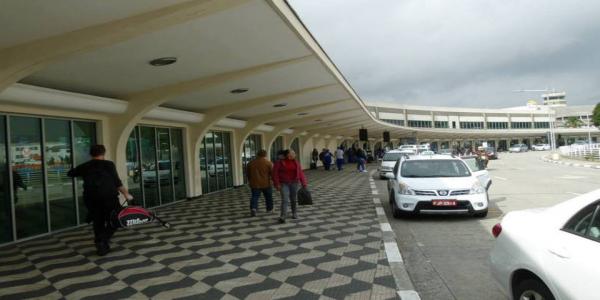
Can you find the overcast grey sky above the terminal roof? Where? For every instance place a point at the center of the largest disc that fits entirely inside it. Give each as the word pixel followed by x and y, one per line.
pixel 471 53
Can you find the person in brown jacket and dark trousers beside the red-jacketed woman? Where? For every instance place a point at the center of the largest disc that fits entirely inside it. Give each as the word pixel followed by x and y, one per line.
pixel 259 172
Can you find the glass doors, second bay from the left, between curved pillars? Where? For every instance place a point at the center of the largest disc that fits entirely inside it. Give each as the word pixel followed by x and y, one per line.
pixel 155 173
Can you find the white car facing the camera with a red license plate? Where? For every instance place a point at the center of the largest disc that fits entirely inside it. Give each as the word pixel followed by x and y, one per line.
pixel 436 184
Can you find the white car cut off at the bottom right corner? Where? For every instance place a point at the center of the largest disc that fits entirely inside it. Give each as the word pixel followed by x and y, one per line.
pixel 550 253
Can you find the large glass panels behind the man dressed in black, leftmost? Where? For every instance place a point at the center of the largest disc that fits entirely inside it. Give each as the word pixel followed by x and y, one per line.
pixel 36 195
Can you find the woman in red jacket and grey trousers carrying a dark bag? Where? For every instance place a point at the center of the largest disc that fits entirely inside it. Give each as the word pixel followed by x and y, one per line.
pixel 287 178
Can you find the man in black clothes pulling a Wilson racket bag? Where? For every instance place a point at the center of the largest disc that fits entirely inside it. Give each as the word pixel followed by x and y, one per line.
pixel 101 187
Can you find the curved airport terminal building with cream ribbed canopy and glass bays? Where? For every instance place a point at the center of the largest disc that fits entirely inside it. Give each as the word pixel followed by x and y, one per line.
pixel 183 99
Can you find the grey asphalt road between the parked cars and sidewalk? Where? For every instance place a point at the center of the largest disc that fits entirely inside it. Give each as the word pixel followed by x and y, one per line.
pixel 447 256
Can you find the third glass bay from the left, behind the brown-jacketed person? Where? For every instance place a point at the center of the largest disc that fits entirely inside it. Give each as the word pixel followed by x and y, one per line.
pixel 215 161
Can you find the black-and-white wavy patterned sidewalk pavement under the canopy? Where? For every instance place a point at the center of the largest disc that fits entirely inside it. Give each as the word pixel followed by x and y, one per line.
pixel 215 250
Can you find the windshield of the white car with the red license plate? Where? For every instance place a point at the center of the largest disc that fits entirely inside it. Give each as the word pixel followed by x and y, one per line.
pixel 434 168
